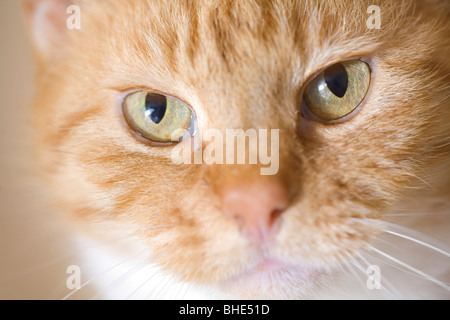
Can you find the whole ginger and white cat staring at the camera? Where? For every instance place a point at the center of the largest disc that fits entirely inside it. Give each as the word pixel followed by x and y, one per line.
pixel 363 119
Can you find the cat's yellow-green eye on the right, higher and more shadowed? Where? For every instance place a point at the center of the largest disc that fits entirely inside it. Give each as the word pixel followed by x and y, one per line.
pixel 338 90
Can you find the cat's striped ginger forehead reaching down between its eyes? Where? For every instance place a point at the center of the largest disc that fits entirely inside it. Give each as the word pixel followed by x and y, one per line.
pixel 229 53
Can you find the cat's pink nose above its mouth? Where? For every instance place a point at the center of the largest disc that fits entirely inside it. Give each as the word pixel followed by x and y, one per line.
pixel 256 206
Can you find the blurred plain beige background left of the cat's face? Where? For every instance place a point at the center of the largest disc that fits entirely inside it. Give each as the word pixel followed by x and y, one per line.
pixel 33 246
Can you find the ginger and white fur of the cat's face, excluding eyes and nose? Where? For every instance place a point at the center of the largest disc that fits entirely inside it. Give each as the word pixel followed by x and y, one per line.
pixel 241 64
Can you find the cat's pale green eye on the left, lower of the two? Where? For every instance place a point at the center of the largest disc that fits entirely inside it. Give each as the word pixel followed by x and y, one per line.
pixel 157 117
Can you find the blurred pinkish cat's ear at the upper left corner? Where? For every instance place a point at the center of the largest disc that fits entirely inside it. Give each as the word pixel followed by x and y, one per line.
pixel 47 21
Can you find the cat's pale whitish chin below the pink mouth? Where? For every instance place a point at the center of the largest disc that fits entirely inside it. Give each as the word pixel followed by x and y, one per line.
pixel 273 279
